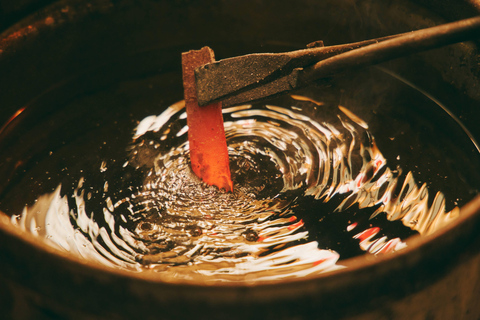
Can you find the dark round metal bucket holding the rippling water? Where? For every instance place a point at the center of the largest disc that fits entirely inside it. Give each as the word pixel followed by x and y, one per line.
pixel 435 277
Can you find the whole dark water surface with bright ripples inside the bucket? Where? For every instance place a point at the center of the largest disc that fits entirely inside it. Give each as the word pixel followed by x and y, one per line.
pixel 318 176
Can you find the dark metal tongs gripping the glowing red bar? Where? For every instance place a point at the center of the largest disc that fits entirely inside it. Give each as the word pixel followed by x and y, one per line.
pixel 255 76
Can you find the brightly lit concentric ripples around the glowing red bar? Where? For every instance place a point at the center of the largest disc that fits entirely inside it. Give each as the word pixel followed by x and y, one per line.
pixel 293 166
